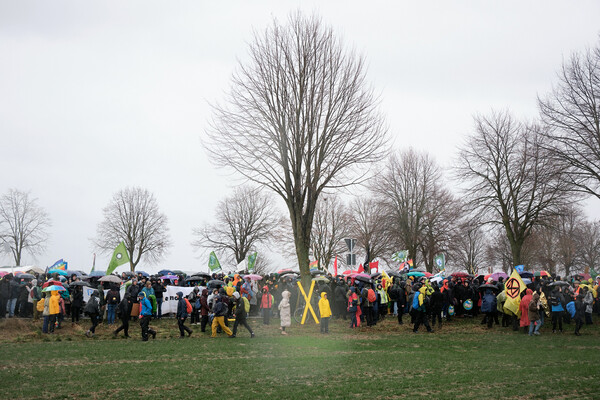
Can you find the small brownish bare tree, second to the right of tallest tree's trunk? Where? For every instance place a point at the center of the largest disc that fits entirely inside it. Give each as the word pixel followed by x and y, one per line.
pixel 370 228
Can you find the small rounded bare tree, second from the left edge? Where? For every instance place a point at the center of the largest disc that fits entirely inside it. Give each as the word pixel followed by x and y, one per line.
pixel 132 216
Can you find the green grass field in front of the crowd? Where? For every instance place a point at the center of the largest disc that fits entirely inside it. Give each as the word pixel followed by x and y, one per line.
pixel 462 360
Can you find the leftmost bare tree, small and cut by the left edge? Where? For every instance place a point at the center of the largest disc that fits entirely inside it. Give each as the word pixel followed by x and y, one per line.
pixel 23 225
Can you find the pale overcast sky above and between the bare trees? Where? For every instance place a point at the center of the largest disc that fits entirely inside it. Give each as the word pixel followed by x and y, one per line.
pixel 97 96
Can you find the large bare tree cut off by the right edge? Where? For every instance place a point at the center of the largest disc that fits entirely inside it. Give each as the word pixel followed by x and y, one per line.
pixel 572 111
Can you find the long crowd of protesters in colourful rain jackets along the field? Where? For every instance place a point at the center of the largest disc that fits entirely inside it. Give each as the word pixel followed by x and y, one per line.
pixel 218 301
